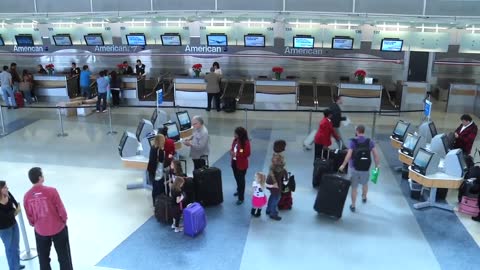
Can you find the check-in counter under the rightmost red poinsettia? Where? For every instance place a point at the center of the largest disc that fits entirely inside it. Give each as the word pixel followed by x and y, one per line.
pixel 359 96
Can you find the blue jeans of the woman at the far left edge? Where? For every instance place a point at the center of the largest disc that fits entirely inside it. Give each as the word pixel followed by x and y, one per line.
pixel 11 240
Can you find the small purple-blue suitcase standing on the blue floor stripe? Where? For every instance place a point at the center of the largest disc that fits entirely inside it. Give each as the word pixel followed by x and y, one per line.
pixel 194 219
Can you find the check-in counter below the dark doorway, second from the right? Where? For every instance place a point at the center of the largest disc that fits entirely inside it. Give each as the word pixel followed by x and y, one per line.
pixel 413 95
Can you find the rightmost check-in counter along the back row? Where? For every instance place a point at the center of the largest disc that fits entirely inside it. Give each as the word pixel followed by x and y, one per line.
pixel 461 98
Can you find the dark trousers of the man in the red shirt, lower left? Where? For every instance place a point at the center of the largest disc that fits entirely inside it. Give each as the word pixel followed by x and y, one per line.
pixel 62 247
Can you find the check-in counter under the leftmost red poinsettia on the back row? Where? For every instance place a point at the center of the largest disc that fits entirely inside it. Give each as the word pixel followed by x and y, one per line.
pixel 190 92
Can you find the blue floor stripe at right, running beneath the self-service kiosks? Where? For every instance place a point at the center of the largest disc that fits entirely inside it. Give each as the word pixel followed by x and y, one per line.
pixel 450 241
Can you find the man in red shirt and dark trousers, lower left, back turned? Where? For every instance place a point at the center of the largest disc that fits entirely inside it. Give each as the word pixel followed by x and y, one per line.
pixel 46 213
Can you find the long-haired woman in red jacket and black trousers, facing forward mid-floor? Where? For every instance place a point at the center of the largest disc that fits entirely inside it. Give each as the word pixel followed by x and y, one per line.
pixel 240 152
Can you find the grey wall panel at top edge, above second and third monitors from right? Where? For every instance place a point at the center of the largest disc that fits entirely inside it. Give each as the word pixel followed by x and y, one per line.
pixel 319 5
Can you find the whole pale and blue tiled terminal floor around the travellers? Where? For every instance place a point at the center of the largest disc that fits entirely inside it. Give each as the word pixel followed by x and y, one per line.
pixel 111 227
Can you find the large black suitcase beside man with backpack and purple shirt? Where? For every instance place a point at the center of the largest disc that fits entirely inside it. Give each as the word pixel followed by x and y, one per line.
pixel 331 196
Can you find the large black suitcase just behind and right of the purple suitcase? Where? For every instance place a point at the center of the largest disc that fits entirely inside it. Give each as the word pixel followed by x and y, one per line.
pixel 208 186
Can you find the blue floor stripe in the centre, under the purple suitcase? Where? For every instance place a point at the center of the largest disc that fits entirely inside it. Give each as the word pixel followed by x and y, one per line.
pixel 220 246
